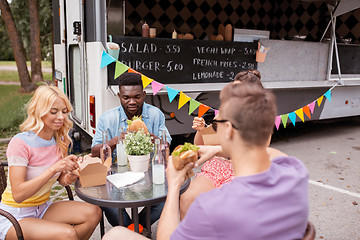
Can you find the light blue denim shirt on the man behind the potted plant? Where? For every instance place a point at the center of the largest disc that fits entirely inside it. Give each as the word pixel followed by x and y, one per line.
pixel 113 119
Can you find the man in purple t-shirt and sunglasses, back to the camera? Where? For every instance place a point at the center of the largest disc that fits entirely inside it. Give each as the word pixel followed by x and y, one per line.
pixel 267 199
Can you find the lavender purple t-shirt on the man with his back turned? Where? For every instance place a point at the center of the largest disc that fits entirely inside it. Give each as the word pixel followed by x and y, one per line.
pixel 270 205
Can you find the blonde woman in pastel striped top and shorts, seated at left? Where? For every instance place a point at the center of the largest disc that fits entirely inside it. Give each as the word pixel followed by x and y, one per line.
pixel 37 157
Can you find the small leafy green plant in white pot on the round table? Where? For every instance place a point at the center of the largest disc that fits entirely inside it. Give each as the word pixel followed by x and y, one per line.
pixel 138 147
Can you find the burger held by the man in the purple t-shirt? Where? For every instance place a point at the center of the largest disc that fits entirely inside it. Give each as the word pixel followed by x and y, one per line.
pixel 184 154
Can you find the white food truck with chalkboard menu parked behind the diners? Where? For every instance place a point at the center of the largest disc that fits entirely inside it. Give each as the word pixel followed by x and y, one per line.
pixel 308 55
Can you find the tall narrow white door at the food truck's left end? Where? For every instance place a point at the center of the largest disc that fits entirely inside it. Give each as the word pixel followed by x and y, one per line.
pixel 75 48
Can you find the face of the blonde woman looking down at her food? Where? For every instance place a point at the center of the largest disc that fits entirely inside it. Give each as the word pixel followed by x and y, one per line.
pixel 55 118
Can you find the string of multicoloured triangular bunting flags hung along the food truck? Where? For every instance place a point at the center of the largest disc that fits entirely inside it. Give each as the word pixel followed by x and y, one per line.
pixel 156 86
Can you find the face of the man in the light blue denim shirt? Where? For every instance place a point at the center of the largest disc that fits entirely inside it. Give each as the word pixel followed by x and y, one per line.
pixel 132 99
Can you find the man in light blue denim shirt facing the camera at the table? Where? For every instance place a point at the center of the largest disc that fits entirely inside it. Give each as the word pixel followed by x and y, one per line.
pixel 132 96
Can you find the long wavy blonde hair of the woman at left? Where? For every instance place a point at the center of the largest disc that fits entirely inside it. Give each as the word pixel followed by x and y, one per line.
pixel 38 106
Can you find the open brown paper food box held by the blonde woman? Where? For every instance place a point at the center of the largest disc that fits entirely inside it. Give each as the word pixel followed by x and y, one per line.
pixel 93 172
